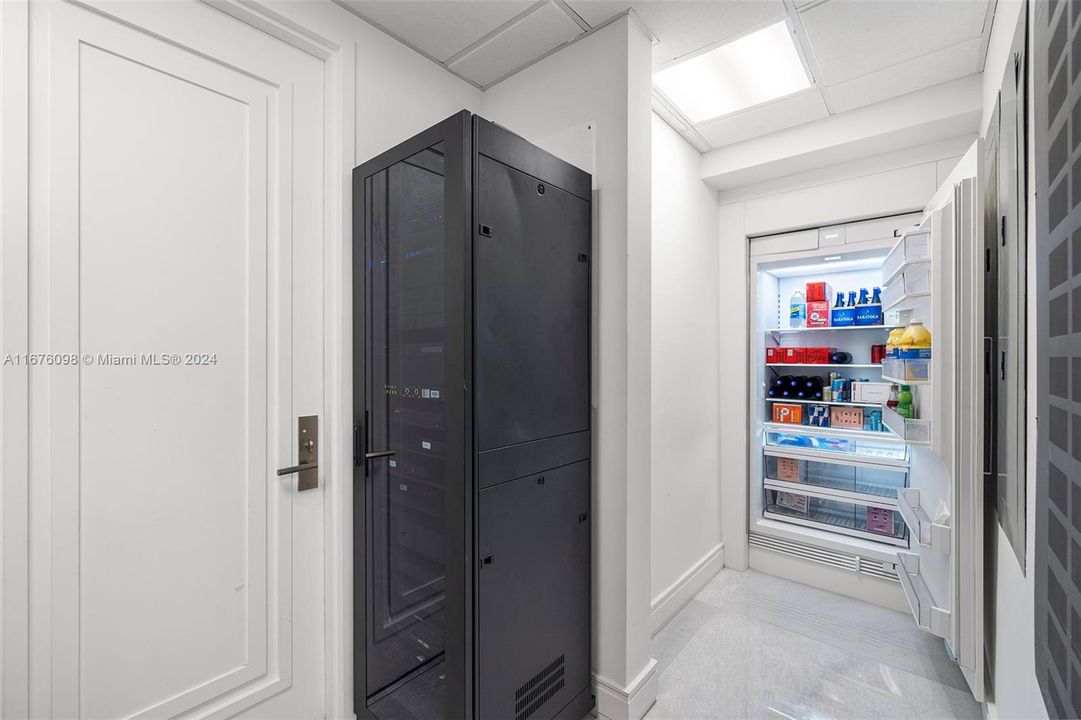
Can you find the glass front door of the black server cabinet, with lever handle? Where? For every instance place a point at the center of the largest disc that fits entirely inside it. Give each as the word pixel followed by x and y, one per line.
pixel 412 481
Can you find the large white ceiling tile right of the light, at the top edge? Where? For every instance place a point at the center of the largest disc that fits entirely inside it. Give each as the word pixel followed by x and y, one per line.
pixel 851 38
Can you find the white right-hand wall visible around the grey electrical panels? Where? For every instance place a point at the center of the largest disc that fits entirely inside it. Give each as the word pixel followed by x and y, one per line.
pixel 1017 695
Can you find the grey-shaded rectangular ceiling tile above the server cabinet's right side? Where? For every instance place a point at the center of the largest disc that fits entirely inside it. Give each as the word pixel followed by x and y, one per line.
pixel 542 31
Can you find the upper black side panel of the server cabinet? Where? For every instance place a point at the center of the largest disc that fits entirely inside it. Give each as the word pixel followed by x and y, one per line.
pixel 532 309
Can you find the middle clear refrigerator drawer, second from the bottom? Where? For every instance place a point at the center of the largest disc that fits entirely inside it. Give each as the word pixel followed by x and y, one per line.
pixel 864 481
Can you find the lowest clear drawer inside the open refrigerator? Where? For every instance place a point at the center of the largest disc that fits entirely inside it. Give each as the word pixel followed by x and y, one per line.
pixel 857 519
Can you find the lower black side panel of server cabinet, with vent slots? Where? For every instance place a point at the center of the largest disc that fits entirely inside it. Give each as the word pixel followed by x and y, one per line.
pixel 533 596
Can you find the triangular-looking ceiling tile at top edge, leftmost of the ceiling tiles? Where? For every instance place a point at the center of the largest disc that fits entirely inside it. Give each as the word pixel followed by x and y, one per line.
pixel 439 28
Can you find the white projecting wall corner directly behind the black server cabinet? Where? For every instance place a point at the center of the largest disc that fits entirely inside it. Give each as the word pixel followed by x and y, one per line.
pixel 599 88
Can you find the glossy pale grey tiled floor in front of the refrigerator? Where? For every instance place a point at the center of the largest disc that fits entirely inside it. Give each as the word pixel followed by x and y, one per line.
pixel 754 646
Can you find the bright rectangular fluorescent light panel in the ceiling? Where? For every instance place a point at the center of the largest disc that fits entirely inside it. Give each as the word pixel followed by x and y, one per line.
pixel 756 69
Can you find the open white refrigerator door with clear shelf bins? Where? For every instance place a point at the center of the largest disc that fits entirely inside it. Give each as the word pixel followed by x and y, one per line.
pixel 942 574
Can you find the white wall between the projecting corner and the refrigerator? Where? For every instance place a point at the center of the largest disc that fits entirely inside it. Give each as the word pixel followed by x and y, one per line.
pixel 686 494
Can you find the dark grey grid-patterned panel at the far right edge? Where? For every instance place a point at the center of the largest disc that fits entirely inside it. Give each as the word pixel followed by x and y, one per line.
pixel 1058 549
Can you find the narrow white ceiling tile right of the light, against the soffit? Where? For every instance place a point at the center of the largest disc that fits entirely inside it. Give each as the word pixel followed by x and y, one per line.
pixel 925 72
